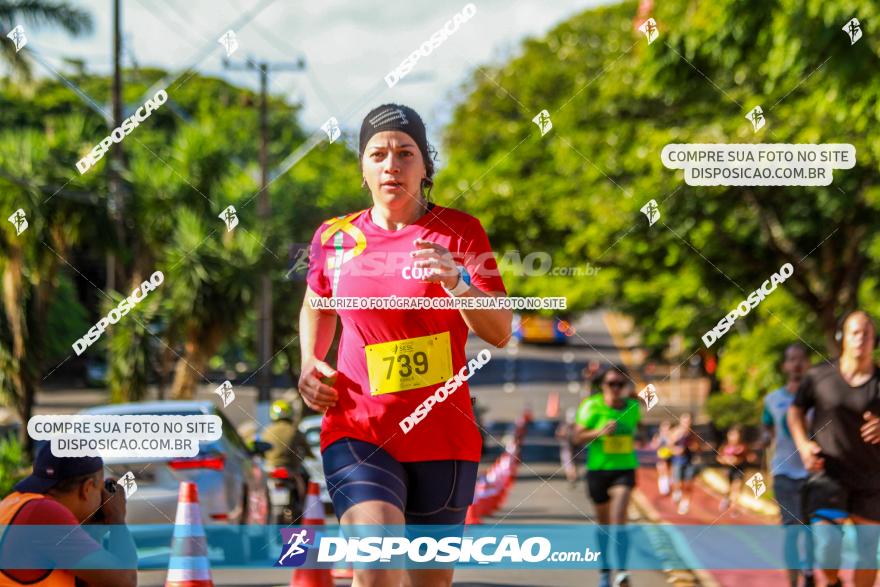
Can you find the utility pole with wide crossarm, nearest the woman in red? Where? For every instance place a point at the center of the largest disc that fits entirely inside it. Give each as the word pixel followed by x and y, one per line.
pixel 264 211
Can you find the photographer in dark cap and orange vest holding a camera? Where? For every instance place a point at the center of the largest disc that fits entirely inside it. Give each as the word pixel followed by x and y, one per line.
pixel 66 492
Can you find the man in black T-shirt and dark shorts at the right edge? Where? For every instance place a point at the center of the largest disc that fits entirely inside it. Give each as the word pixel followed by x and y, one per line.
pixel 843 448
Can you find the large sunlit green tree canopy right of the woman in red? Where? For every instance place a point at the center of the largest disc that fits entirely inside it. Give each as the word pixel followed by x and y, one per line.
pixel 615 101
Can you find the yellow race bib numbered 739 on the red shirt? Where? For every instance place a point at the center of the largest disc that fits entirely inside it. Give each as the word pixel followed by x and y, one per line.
pixel 400 365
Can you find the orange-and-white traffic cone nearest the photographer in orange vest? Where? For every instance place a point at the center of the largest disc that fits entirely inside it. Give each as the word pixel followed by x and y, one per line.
pixel 189 566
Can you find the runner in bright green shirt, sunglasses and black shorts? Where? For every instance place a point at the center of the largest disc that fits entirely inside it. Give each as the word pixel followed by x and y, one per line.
pixel 607 423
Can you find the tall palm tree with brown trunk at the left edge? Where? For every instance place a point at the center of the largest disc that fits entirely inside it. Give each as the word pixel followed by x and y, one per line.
pixel 30 261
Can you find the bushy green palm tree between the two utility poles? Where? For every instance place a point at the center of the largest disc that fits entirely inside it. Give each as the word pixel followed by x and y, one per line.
pixel 209 273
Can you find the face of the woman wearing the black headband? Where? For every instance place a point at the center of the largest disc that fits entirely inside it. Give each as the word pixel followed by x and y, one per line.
pixel 393 156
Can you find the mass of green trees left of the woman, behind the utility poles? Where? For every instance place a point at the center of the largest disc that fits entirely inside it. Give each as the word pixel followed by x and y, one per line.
pixel 191 159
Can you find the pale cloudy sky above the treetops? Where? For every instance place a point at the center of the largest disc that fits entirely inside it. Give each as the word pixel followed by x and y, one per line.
pixel 349 47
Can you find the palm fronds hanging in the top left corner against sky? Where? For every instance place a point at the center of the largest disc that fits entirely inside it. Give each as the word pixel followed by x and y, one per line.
pixel 37 13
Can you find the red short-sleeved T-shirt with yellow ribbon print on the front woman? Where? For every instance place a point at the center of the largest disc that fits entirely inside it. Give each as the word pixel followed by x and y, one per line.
pixel 376 263
